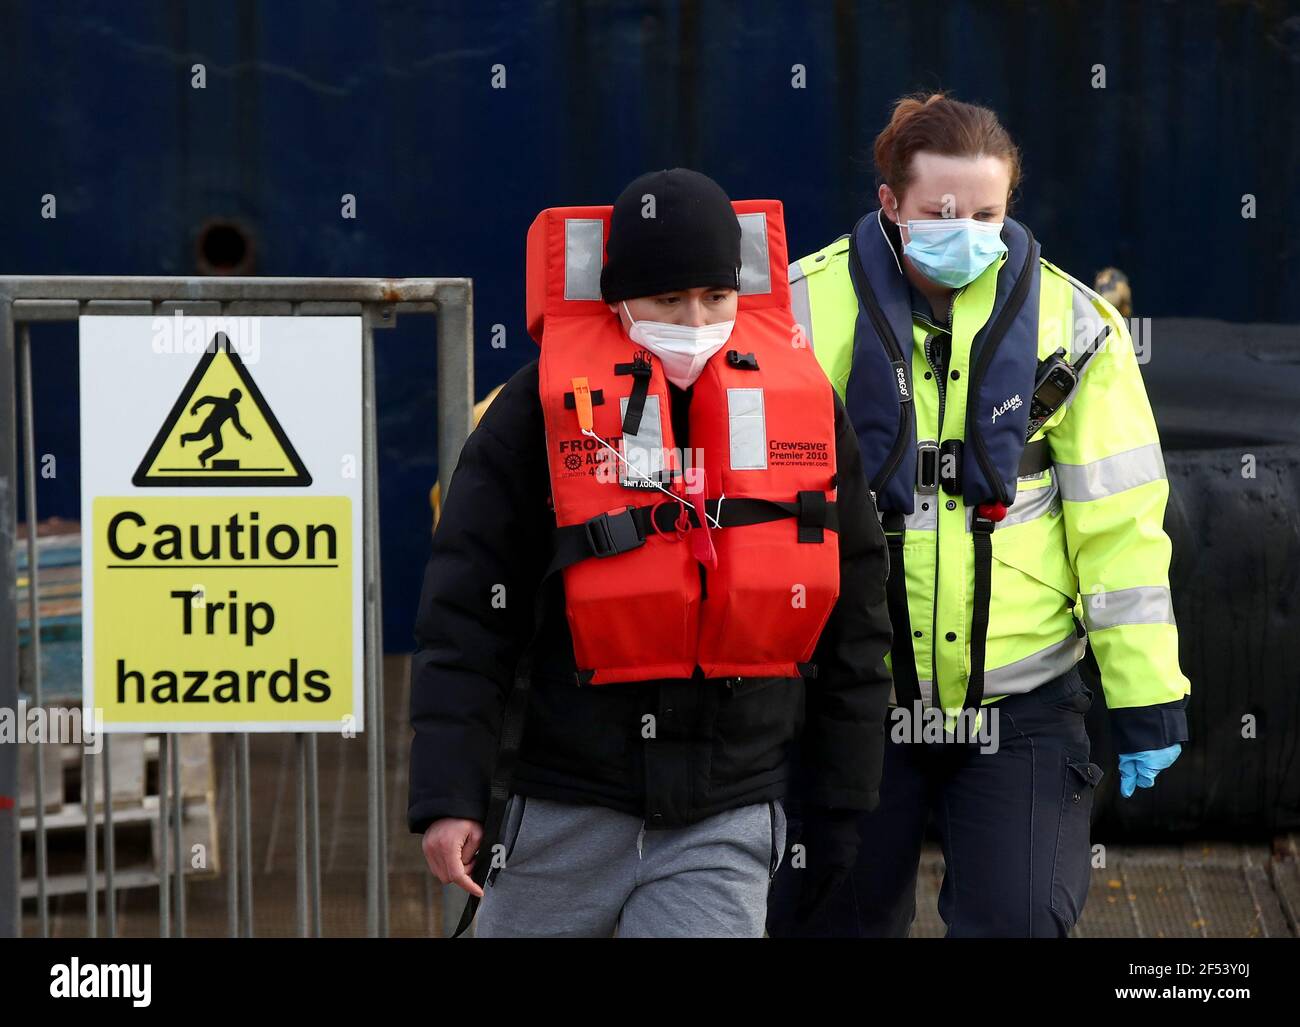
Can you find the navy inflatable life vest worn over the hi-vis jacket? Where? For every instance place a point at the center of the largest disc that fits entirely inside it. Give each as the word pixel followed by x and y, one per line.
pixel 1004 359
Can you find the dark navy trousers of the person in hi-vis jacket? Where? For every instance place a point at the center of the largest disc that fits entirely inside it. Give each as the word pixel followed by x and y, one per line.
pixel 1013 825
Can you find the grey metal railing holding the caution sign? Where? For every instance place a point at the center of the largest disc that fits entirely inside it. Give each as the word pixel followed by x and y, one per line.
pixel 25 301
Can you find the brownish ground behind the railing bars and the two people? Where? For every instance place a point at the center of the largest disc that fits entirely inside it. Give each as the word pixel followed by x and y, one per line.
pixel 1210 890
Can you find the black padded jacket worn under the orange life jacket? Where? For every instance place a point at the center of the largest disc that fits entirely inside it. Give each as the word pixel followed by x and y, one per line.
pixel 720 744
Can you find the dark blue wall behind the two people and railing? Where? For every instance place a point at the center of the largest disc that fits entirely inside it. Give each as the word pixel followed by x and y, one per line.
pixel 393 103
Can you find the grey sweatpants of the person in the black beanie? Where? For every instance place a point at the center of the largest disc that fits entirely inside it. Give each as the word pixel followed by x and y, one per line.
pixel 588 872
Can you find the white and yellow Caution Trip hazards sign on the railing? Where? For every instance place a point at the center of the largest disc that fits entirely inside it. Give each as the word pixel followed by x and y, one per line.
pixel 222 521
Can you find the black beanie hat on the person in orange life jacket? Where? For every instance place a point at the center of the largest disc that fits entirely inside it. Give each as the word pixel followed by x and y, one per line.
pixel 671 231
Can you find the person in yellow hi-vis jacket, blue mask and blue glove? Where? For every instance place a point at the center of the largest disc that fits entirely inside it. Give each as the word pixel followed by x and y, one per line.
pixel 1017 469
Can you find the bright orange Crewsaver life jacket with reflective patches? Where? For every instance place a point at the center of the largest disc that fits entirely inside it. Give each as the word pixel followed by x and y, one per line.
pixel 653 590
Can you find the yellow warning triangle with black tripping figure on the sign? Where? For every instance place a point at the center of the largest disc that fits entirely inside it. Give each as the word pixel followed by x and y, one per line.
pixel 222 432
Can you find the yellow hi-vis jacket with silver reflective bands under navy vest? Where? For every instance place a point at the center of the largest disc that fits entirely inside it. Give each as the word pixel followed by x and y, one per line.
pixel 1085 538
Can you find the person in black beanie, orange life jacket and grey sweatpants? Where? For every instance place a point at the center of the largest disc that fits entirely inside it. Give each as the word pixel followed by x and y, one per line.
pixel 657 570
